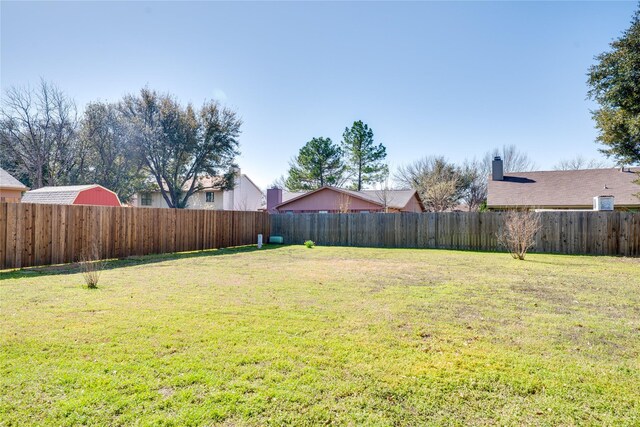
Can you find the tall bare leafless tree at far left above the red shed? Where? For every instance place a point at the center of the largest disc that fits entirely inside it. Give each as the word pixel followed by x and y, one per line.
pixel 38 134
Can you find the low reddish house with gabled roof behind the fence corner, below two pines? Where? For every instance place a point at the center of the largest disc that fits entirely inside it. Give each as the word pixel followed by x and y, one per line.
pixel 336 200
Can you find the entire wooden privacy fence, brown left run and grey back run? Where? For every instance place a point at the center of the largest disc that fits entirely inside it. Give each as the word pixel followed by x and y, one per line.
pixel 35 234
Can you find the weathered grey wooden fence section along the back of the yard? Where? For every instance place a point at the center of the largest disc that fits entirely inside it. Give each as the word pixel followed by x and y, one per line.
pixel 602 233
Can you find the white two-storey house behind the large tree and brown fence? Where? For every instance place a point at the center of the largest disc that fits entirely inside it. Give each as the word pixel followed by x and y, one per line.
pixel 245 196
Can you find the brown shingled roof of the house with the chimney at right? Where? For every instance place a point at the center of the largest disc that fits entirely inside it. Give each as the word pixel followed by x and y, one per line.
pixel 574 188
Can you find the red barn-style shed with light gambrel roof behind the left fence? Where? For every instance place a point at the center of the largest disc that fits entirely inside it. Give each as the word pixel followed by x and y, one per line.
pixel 92 194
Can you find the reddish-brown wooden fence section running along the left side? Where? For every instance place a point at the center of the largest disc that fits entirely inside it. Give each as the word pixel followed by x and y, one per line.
pixel 37 234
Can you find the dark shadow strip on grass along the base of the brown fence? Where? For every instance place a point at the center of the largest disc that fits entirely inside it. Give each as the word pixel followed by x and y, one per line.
pixel 111 264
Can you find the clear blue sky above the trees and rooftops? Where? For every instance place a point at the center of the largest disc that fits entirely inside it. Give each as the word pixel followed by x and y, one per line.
pixel 452 79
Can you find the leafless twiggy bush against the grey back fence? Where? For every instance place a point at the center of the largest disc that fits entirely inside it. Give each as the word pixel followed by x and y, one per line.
pixel 519 232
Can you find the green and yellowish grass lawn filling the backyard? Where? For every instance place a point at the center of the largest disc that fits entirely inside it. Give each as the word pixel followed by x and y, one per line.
pixel 349 336
